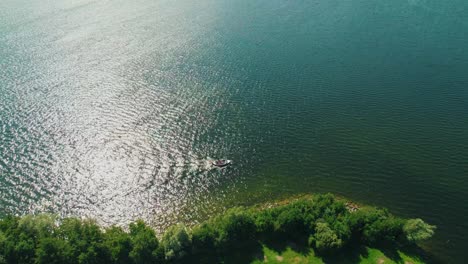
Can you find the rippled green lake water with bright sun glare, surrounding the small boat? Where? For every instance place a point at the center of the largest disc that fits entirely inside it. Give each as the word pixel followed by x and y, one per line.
pixel 113 109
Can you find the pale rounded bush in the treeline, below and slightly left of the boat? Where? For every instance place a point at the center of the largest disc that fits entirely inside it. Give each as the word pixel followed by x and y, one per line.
pixel 176 242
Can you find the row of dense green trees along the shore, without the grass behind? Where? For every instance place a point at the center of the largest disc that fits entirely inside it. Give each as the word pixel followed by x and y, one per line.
pixel 323 221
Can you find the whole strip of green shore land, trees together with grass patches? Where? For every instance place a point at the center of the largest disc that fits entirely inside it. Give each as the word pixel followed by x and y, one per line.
pixel 310 228
